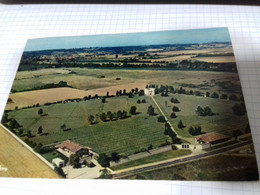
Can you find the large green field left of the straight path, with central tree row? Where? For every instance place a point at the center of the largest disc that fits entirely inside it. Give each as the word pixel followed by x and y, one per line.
pixel 123 136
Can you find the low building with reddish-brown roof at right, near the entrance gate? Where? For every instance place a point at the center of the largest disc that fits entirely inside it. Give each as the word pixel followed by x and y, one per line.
pixel 211 138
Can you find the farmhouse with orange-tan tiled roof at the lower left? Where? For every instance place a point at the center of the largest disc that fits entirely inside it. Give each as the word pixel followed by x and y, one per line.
pixel 69 147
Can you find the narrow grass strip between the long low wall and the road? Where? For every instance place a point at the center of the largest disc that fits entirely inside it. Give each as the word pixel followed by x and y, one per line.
pixel 153 158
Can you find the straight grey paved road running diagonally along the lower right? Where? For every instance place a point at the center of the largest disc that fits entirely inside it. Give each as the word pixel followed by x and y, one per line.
pixel 166 164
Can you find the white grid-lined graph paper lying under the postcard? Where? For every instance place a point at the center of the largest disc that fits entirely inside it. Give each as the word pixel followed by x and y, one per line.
pixel 21 22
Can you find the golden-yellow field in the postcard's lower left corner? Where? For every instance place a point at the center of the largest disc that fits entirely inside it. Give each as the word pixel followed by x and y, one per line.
pixel 19 161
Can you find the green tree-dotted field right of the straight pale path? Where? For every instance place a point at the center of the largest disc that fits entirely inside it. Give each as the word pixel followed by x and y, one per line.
pixel 225 121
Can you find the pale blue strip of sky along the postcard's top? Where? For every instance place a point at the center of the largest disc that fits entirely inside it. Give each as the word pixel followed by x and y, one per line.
pixel 131 39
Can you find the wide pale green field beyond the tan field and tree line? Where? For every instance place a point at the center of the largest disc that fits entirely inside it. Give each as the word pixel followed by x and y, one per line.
pixel 87 78
